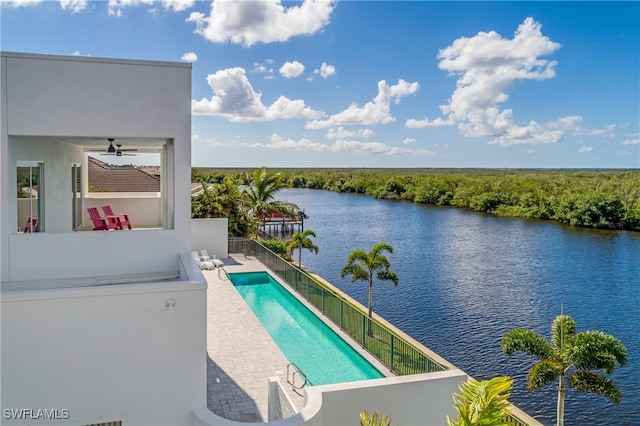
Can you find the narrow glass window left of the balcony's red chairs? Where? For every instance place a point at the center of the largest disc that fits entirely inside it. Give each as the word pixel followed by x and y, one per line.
pixel 30 193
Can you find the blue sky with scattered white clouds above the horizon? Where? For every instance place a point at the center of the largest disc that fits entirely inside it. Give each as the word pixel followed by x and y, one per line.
pixel 376 84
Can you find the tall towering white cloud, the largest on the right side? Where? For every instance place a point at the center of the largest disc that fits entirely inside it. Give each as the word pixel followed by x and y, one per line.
pixel 487 65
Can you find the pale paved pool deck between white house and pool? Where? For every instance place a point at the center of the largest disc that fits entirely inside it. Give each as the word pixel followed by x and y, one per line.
pixel 241 354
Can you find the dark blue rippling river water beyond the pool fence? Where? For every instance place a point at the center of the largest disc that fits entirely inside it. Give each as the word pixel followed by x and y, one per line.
pixel 468 278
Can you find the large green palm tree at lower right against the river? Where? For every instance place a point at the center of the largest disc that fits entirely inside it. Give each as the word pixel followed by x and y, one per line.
pixel 581 352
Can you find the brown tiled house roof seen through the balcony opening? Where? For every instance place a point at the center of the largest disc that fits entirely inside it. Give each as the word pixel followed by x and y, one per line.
pixel 105 177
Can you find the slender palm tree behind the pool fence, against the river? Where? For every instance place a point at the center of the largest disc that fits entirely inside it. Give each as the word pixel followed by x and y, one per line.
pixel 363 266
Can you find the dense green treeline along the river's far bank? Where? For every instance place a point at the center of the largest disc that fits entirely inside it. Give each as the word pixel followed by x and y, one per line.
pixel 605 199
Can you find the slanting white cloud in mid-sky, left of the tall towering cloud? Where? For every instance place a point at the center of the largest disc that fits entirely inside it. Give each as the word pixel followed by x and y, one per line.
pixel 377 111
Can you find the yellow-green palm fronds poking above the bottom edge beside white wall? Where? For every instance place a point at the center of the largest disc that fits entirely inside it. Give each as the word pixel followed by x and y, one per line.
pixel 483 403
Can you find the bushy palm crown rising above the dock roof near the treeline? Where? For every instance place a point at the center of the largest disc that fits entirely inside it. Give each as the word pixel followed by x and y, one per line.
pixel 260 193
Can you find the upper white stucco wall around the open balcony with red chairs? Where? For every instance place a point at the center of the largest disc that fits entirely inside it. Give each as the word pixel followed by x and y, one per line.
pixel 46 99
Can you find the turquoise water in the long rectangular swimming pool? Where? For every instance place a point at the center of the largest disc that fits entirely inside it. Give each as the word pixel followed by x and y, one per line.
pixel 301 336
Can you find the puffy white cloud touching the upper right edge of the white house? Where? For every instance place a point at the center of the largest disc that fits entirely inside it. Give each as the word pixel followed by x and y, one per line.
pixel 234 98
